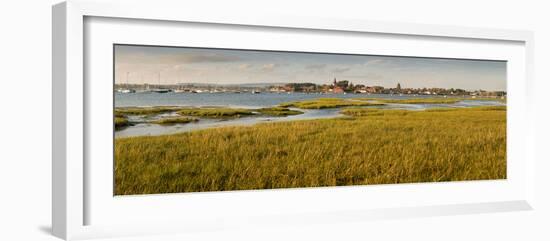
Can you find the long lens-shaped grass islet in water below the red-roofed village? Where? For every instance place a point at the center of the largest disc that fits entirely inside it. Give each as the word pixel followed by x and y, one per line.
pixel 325 103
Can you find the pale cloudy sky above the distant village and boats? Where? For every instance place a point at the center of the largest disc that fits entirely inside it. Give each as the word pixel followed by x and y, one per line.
pixel 142 64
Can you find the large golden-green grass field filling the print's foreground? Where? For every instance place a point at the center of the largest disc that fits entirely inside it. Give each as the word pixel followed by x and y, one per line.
pixel 389 147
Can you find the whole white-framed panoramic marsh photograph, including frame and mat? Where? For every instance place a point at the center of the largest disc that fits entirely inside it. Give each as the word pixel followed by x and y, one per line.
pixel 177 121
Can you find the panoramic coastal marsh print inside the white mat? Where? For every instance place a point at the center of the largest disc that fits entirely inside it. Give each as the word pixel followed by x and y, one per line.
pixel 203 119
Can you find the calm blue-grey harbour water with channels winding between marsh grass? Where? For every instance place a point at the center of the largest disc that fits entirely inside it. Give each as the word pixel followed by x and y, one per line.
pixel 248 100
